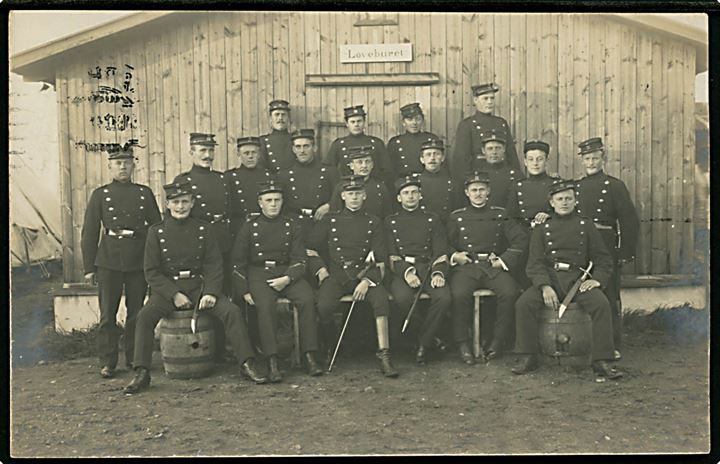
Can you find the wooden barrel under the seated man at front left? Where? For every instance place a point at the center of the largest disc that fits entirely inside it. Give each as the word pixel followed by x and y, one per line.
pixel 187 355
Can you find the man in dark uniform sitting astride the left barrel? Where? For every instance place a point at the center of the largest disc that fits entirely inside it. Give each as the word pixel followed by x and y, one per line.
pixel 183 268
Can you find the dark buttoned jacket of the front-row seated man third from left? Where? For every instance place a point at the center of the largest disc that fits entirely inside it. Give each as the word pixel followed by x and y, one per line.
pixel 345 238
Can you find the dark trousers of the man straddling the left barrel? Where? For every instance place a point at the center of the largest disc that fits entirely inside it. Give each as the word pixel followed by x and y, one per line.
pixel 158 307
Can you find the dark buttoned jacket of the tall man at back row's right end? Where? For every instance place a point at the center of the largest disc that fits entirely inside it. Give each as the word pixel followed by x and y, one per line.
pixel 468 145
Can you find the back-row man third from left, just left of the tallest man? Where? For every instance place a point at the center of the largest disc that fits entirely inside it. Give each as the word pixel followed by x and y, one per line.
pixel 404 150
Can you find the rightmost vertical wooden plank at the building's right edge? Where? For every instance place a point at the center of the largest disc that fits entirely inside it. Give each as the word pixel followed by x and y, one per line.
pixel 688 191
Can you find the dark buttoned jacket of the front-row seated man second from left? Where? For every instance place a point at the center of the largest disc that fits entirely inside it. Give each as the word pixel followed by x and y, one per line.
pixel 274 245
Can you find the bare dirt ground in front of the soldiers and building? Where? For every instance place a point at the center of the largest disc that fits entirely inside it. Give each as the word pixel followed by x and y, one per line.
pixel 62 408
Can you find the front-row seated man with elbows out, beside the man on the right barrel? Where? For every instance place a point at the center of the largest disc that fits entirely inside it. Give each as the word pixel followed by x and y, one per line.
pixel 485 245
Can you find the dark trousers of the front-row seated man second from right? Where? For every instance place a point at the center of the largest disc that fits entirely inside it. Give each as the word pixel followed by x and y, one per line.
pixel 468 278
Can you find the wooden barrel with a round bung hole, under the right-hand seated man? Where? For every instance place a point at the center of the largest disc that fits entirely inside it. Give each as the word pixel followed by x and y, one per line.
pixel 568 340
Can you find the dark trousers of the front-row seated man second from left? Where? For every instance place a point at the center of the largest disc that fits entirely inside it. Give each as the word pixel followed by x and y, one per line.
pixel 300 294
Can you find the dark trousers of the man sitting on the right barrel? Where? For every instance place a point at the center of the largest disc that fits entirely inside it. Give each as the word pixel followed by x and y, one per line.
pixel 593 302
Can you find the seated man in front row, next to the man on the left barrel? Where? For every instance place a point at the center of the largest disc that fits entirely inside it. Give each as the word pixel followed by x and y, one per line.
pixel 269 262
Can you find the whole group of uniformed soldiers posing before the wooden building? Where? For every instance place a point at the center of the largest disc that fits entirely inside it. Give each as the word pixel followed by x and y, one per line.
pixel 370 220
